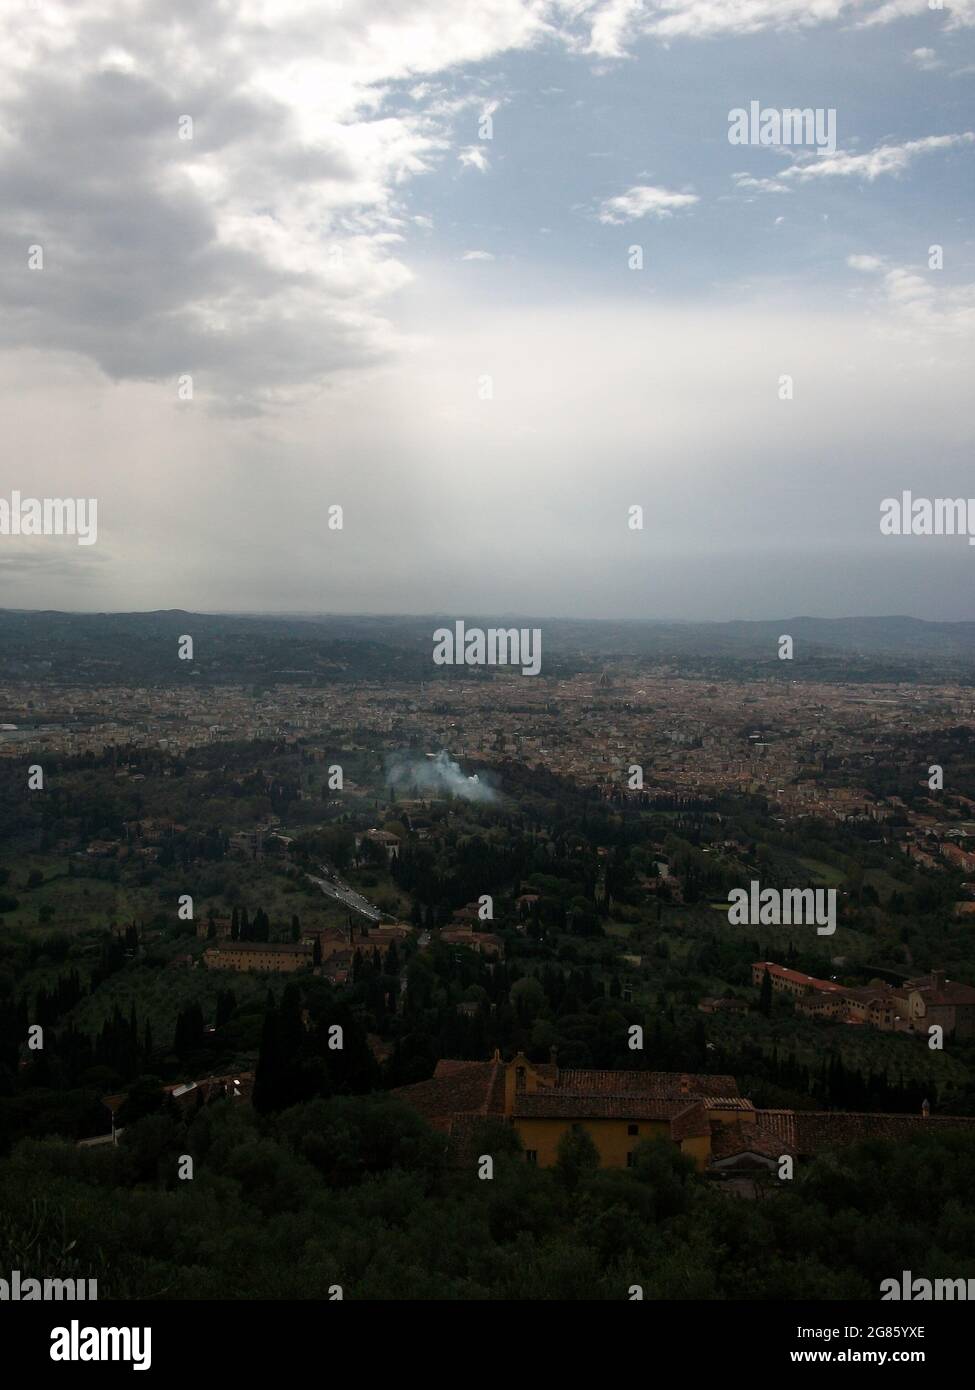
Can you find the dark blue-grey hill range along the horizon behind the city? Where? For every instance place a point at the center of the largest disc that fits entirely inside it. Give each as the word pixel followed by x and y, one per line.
pixel 141 648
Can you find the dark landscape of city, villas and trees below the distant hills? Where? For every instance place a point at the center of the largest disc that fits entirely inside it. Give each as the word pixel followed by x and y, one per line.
pixel 475 921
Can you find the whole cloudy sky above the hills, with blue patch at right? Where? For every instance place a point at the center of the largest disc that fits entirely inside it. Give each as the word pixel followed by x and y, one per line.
pixel 487 276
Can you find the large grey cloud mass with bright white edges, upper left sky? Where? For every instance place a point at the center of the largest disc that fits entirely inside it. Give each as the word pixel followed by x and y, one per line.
pixel 259 254
